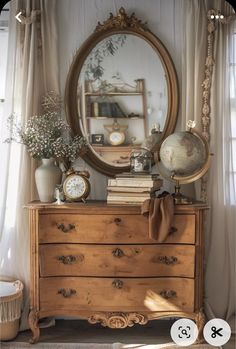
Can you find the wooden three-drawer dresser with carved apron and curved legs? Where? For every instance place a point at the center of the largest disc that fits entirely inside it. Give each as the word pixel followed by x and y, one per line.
pixel 96 261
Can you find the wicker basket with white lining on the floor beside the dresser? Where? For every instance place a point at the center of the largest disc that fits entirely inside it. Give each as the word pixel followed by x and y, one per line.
pixel 11 296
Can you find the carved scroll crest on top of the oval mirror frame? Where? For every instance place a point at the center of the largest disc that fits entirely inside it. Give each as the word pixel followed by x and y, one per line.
pixel 122 20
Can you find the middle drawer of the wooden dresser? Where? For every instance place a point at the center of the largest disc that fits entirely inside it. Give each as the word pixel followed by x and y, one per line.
pixel 116 260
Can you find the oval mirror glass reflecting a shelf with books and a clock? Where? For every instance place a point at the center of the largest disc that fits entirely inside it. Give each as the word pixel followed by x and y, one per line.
pixel 121 99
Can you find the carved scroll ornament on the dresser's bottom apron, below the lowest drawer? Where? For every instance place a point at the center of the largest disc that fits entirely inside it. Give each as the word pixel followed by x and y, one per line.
pixel 118 320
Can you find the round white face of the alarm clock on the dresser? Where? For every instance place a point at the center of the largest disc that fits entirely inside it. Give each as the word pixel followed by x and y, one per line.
pixel 75 187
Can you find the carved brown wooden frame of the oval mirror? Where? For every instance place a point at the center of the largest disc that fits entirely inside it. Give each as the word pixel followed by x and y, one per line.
pixel 122 23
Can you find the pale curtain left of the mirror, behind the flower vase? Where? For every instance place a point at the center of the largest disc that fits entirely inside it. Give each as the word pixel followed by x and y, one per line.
pixel 31 72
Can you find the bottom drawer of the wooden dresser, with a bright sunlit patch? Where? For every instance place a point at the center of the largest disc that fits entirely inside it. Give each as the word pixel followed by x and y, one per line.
pixel 70 294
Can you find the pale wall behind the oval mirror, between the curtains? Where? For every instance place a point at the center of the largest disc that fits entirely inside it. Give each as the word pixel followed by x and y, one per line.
pixel 77 20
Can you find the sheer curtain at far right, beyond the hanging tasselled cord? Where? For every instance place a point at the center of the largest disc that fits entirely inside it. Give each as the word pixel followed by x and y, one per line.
pixel 220 256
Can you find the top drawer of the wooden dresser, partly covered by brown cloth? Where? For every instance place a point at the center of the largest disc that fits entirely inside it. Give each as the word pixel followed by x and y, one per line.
pixel 121 228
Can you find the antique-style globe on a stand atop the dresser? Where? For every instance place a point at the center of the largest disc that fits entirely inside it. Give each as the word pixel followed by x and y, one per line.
pixel 183 158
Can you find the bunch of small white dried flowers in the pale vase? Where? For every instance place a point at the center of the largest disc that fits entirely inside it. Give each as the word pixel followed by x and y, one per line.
pixel 47 136
